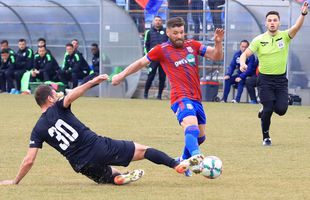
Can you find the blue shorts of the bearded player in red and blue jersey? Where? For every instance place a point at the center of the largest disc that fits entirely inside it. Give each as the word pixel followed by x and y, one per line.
pixel 187 107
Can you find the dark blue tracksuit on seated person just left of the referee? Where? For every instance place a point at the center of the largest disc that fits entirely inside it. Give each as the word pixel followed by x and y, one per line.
pixel 234 72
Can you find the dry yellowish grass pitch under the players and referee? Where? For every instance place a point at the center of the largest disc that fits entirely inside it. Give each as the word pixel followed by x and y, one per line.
pixel 251 172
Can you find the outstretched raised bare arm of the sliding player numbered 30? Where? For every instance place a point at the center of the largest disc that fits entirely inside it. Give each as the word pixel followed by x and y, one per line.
pixel 80 90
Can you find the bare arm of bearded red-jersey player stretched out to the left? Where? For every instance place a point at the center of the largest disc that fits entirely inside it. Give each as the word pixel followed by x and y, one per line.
pixel 132 68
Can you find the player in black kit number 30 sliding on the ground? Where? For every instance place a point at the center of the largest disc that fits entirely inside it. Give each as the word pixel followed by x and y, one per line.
pixel 88 153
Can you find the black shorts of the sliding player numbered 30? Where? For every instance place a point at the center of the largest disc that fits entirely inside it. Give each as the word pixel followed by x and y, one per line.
pixel 108 152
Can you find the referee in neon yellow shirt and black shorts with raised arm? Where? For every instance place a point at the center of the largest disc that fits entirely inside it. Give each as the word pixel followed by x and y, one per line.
pixel 272 49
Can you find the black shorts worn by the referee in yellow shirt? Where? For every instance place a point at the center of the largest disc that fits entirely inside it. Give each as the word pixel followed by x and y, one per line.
pixel 272 88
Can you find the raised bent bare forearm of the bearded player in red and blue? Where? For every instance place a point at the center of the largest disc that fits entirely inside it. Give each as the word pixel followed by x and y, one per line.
pixel 216 53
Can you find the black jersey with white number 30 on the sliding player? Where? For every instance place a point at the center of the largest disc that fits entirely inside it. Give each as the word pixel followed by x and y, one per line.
pixel 63 131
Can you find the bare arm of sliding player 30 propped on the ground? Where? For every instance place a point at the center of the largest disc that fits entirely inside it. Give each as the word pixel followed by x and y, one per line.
pixel 26 165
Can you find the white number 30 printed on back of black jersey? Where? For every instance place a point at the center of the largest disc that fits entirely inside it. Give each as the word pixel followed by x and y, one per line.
pixel 64 133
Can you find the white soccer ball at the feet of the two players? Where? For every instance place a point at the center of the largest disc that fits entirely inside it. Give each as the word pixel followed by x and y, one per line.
pixel 211 167
